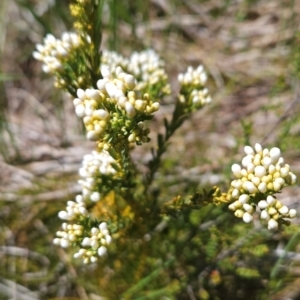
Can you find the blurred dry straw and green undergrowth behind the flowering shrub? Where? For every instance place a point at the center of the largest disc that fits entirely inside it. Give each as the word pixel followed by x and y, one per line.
pixel 250 49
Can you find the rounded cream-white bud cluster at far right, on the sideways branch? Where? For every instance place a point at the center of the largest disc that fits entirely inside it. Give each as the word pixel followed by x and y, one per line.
pixel 263 173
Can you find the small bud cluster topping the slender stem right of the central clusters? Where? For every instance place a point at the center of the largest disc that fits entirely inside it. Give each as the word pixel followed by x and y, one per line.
pixel 193 91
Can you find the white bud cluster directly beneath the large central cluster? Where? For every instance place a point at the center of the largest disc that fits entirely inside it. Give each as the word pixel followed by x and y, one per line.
pixel 94 167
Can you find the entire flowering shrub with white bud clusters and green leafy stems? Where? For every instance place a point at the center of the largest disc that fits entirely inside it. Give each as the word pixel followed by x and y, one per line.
pixel 115 97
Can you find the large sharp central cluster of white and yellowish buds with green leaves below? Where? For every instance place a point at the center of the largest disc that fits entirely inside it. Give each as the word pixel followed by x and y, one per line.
pixel 115 109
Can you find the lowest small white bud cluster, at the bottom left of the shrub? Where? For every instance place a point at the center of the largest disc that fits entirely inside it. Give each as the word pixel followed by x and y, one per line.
pixel 95 244
